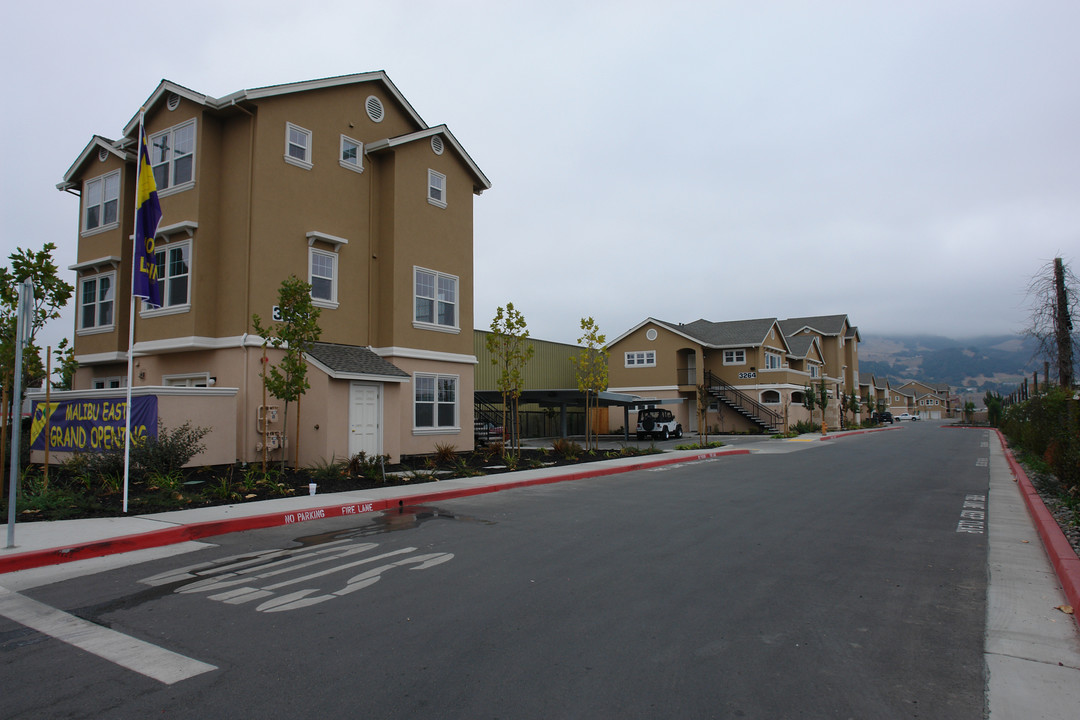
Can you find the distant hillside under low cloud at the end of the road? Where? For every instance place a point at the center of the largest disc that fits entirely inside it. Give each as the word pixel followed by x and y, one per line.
pixel 976 365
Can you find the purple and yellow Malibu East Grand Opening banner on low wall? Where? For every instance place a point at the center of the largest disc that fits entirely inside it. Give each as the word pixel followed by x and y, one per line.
pixel 93 426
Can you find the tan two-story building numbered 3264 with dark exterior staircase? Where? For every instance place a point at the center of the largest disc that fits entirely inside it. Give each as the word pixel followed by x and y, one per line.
pixel 755 372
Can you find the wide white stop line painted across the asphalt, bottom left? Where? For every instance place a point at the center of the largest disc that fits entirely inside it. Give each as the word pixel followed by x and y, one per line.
pixel 144 658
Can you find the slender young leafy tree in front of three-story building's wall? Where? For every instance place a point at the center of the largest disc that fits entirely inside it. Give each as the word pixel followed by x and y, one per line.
pixel 296 333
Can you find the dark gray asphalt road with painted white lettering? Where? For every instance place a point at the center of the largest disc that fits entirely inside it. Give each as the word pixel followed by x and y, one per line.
pixel 826 581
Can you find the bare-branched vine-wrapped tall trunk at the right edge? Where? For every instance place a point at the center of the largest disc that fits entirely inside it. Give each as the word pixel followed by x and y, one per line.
pixel 1056 293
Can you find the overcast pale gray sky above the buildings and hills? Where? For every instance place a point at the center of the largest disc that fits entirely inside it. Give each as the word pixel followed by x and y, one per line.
pixel 912 165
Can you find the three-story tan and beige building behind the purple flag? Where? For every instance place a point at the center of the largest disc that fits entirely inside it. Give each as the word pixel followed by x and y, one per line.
pixel 337 182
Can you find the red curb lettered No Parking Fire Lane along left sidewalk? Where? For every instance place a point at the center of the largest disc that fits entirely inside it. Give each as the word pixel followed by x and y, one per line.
pixel 199 531
